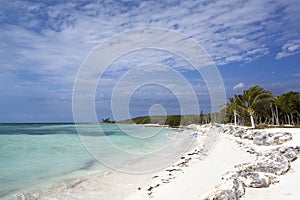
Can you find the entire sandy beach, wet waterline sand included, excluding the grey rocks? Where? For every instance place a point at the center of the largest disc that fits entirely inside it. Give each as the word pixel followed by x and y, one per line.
pixel 197 174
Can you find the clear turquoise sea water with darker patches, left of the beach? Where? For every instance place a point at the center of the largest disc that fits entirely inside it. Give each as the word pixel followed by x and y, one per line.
pixel 36 155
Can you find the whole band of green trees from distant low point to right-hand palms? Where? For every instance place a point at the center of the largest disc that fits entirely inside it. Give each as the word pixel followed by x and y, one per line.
pixel 254 107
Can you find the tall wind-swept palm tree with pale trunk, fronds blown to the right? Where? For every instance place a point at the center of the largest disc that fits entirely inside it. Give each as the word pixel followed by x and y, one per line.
pixel 251 99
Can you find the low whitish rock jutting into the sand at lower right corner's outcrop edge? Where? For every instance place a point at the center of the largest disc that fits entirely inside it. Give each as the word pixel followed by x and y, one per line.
pixel 257 179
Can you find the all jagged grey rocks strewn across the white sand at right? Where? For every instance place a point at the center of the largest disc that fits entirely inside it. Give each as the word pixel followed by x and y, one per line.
pixel 262 172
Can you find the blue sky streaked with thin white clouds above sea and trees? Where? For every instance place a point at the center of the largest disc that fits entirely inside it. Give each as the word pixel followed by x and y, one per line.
pixel 44 44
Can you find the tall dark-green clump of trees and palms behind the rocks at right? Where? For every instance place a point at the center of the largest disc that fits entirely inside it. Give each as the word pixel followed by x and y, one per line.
pixel 259 106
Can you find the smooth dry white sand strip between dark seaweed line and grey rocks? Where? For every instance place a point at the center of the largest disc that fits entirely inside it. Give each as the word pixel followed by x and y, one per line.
pixel 199 178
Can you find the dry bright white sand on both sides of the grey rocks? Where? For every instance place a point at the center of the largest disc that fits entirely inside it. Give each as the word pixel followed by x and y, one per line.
pixel 199 178
